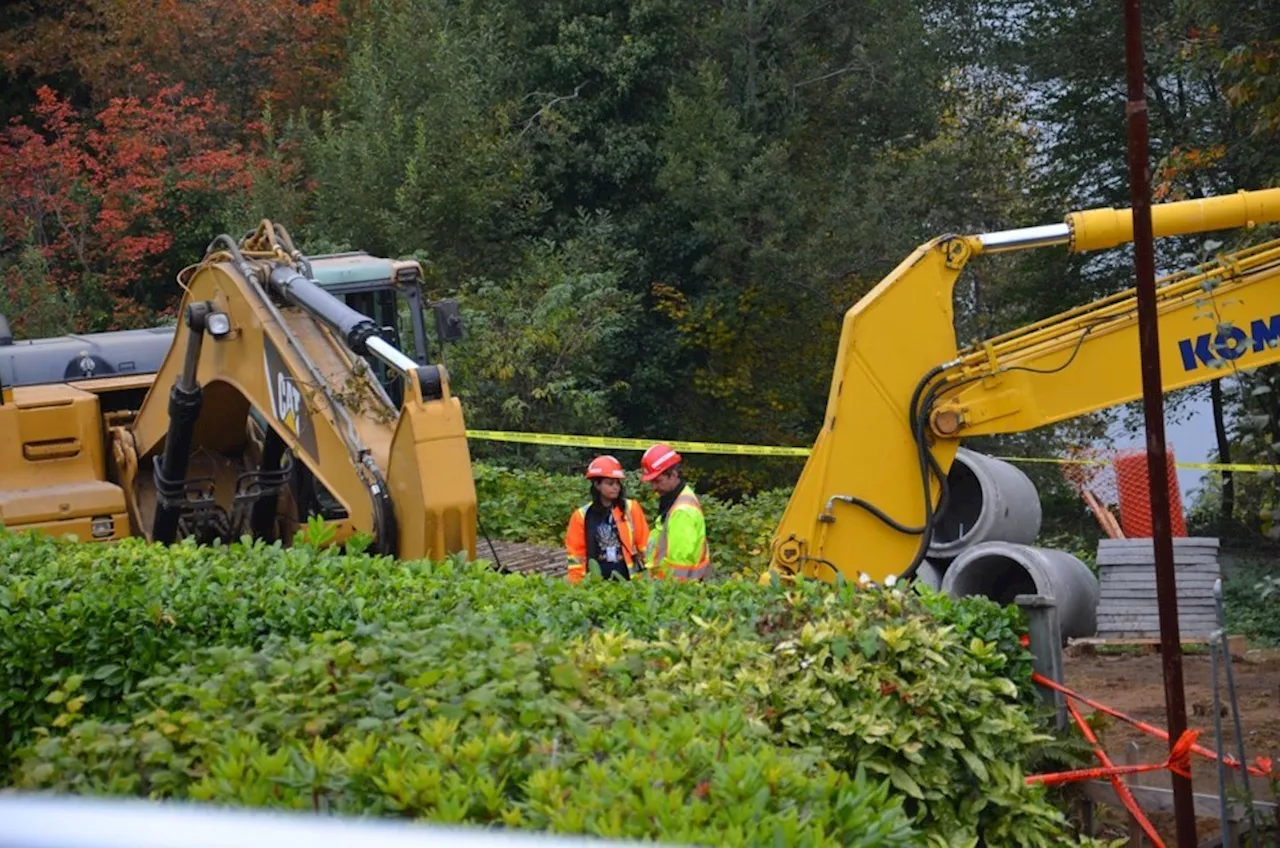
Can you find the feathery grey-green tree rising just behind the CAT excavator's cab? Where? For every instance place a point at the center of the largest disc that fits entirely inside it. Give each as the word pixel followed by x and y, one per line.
pixel 420 152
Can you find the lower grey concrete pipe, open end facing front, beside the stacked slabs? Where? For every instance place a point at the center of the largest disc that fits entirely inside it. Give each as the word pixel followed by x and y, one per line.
pixel 1003 571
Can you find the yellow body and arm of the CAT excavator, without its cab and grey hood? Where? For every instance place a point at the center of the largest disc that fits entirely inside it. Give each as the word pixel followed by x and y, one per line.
pixel 80 458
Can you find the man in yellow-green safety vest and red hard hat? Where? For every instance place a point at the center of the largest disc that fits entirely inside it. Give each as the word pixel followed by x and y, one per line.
pixel 678 548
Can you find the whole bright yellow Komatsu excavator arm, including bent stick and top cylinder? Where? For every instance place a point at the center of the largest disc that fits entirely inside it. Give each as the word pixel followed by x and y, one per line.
pixel 904 398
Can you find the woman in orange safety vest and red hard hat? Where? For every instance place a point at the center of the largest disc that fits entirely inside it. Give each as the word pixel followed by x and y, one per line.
pixel 611 531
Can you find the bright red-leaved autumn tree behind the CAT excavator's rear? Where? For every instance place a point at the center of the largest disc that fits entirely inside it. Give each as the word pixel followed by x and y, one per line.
pixel 102 197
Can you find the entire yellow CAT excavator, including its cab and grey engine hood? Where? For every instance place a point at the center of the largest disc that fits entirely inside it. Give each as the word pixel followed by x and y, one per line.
pixel 272 402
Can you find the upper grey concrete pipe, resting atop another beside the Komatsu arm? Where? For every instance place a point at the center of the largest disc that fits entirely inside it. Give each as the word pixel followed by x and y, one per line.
pixel 991 501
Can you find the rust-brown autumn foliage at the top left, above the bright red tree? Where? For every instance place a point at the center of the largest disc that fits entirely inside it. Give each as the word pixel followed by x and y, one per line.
pixel 246 52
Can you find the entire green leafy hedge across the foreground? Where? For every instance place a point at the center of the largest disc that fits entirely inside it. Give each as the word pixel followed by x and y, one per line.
pixel 726 713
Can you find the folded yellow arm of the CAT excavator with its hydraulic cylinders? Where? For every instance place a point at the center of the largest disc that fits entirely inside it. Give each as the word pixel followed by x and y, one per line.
pixel 266 412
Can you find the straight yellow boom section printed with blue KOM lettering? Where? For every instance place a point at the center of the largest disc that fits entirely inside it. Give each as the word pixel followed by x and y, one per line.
pixel 1220 317
